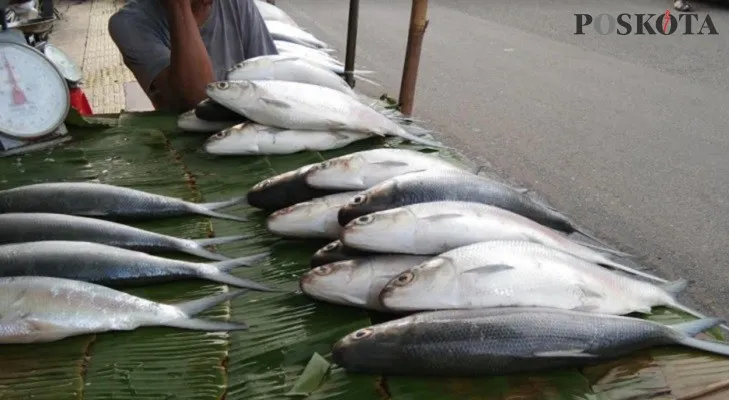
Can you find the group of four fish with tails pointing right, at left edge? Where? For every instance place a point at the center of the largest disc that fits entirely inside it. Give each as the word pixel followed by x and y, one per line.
pixel 65 253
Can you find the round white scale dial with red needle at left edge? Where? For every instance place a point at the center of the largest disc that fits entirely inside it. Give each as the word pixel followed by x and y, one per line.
pixel 34 96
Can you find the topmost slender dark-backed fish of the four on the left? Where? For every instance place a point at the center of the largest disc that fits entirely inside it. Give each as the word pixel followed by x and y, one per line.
pixel 99 200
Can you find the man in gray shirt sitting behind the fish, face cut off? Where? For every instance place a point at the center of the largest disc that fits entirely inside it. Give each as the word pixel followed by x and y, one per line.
pixel 176 47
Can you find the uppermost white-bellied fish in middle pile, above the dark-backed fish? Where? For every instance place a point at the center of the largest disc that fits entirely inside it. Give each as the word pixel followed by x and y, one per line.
pixel 364 169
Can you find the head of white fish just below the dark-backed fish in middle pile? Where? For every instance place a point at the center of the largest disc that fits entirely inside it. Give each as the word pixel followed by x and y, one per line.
pixel 382 230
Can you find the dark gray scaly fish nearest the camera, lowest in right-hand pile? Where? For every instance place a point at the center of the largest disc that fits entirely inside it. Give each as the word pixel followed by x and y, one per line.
pixel 505 341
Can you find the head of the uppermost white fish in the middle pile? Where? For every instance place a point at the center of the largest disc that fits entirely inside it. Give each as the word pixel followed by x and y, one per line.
pixel 338 173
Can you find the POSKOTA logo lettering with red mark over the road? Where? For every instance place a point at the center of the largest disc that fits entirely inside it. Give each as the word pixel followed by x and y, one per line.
pixel 646 24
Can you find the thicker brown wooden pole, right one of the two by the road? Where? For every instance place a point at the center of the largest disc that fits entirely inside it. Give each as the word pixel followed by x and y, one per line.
pixel 418 24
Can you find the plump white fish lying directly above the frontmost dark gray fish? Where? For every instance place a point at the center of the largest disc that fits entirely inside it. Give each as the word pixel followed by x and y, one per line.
pixel 512 273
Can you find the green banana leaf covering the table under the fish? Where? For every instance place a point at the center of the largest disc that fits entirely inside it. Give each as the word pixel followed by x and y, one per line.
pixel 286 351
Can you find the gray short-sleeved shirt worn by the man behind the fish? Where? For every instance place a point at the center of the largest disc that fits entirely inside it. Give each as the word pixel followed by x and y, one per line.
pixel 235 31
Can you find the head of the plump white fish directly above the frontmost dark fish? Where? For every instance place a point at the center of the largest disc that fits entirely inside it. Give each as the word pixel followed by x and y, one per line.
pixel 427 286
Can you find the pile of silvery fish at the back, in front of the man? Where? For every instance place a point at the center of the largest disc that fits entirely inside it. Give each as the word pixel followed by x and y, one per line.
pixel 290 102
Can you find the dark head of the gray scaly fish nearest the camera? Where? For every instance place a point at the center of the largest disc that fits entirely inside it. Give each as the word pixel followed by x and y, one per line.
pixel 373 348
